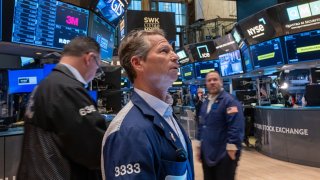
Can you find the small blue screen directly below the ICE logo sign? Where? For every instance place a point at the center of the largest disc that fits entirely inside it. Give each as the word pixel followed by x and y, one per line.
pixel 203 67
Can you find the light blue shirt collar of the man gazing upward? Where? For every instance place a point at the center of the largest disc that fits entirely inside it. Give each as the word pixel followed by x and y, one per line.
pixel 161 107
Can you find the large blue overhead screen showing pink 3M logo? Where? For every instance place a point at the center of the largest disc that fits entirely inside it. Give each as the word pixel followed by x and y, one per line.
pixel 48 23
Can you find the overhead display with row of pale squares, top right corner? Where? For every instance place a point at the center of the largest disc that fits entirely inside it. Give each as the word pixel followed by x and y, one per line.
pixel 299 16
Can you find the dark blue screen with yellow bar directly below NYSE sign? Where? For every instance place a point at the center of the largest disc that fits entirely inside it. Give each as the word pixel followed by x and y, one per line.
pixel 267 54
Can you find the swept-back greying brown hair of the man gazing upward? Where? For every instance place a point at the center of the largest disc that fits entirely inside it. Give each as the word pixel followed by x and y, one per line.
pixel 135 44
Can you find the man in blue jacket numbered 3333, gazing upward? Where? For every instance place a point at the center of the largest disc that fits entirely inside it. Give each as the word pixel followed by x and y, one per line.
pixel 144 141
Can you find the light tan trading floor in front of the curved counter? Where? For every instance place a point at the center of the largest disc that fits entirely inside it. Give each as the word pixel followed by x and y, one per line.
pixel 256 166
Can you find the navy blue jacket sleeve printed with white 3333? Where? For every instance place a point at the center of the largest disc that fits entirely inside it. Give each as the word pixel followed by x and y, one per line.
pixel 128 154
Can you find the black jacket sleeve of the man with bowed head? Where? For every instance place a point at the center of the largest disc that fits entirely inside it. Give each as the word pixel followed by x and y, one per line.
pixel 79 126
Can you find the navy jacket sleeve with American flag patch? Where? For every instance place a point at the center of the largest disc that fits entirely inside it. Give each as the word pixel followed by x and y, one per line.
pixel 235 124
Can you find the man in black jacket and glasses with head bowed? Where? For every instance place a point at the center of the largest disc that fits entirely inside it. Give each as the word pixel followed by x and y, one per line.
pixel 63 130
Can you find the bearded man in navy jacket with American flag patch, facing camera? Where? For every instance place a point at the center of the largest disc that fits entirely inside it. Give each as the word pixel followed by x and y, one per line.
pixel 221 131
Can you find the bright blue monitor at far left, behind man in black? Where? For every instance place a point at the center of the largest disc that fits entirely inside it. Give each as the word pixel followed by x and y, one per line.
pixel 24 81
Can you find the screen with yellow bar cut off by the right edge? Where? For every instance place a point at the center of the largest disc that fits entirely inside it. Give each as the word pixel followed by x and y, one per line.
pixel 303 46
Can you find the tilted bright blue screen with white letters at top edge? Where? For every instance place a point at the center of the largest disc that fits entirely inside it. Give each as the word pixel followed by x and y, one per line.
pixel 112 10
